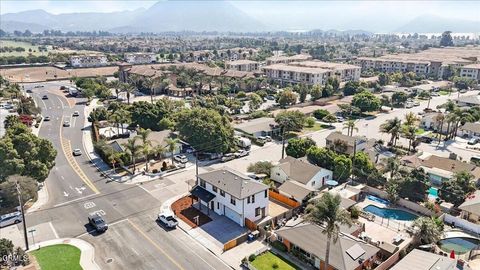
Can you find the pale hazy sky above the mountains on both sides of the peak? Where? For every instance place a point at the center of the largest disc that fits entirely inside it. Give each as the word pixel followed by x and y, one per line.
pixel 290 15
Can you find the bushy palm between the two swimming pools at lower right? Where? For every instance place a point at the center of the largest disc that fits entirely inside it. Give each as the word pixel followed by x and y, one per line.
pixel 428 231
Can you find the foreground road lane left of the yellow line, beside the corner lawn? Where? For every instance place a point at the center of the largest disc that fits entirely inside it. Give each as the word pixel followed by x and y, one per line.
pixel 122 246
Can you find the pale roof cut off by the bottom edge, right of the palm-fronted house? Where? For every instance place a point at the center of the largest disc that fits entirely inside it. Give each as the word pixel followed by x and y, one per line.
pixel 423 260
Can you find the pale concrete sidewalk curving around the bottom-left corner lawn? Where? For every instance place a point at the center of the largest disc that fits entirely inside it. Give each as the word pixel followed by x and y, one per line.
pixel 87 256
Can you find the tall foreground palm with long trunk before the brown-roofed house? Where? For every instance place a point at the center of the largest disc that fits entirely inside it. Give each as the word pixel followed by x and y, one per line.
pixel 327 213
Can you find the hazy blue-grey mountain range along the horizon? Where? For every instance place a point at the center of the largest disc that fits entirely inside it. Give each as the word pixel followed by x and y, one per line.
pixel 222 16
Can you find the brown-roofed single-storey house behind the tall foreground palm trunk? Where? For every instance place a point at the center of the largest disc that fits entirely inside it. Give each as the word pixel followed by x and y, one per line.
pixel 347 253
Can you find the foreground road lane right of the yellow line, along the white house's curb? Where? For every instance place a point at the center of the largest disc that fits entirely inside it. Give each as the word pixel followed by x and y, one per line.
pixel 178 245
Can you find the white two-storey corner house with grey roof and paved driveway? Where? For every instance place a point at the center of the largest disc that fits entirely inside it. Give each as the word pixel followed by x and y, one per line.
pixel 232 194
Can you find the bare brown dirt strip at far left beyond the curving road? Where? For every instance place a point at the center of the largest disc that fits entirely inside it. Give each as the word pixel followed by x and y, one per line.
pixel 41 74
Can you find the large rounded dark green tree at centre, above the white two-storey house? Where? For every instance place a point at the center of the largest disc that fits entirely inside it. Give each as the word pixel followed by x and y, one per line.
pixel 205 129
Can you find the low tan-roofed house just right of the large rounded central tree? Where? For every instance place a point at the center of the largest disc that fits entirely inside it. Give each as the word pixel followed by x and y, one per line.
pixel 263 126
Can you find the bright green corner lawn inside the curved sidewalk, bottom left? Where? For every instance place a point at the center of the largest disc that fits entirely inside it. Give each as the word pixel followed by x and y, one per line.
pixel 58 257
